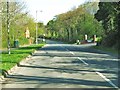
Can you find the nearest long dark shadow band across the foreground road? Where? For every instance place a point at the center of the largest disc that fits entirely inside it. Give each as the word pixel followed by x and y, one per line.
pixel 57 80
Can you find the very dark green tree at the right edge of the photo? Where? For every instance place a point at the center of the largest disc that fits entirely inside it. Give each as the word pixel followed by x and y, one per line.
pixel 108 14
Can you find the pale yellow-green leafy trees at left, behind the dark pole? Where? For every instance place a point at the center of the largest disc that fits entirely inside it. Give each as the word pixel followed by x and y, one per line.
pixel 19 20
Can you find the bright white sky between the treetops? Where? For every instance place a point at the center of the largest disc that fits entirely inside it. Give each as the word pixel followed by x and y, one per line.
pixel 50 8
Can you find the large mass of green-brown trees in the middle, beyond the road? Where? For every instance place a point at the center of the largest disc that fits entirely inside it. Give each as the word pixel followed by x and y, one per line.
pixel 74 24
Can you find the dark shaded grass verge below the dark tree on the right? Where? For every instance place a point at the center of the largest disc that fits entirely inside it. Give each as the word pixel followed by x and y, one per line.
pixel 106 49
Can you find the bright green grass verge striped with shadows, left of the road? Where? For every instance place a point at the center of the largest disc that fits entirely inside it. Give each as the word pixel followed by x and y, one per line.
pixel 8 61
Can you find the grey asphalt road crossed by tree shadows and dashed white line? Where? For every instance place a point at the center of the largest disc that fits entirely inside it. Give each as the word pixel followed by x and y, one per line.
pixel 59 65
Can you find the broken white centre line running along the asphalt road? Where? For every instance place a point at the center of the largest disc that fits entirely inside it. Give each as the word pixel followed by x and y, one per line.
pixel 100 74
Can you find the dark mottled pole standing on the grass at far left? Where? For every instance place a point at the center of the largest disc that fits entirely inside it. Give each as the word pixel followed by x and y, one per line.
pixel 8 27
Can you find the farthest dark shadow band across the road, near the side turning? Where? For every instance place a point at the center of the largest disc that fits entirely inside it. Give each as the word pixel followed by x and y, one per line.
pixel 71 48
